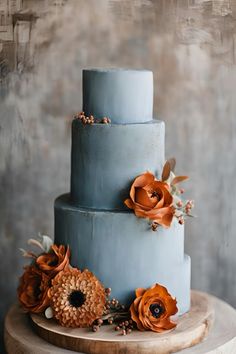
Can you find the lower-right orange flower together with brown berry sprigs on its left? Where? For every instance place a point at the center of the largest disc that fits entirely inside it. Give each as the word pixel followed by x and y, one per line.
pixel 151 310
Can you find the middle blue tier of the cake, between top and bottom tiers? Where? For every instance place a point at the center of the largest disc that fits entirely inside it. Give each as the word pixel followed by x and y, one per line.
pixel 106 158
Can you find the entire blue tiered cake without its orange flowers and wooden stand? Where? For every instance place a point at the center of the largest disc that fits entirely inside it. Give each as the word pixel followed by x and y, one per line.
pixel 103 234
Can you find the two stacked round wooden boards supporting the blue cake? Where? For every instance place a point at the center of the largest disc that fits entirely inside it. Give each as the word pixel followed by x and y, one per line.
pixel 192 328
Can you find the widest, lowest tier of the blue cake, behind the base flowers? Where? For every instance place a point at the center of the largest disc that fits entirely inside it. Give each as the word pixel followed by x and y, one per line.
pixel 122 251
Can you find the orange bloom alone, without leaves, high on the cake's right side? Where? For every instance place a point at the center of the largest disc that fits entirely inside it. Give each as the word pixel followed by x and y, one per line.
pixel 150 198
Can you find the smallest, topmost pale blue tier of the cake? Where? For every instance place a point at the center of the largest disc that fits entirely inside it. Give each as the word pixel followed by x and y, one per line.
pixel 123 95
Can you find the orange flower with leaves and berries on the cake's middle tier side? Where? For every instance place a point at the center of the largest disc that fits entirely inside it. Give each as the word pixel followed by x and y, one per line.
pixel 159 200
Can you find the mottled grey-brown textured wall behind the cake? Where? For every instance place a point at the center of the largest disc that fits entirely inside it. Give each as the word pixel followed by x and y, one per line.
pixel 190 46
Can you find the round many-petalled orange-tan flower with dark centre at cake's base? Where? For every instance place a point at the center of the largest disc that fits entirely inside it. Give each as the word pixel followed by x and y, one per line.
pixel 77 298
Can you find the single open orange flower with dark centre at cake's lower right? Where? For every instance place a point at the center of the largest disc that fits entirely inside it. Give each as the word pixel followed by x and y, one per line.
pixel 152 308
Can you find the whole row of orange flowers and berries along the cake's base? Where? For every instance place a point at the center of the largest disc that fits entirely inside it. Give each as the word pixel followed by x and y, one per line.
pixel 76 298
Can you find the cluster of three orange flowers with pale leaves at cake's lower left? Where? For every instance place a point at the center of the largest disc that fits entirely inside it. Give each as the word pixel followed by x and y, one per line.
pixel 51 285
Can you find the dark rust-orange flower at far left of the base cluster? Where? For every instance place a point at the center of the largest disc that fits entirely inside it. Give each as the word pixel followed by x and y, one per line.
pixel 33 290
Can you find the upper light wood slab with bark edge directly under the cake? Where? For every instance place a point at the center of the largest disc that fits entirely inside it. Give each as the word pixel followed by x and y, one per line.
pixel 191 328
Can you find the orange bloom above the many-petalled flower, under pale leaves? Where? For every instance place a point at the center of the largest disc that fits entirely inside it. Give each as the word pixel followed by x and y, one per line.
pixel 54 261
